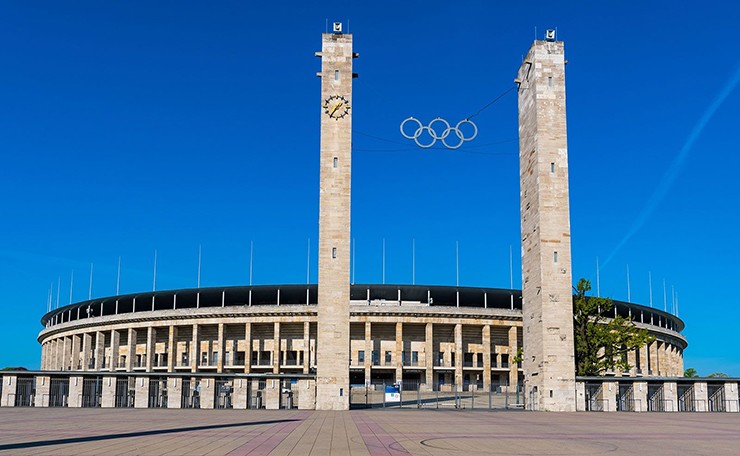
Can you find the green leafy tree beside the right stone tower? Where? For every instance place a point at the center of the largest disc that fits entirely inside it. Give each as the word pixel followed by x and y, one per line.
pixel 602 341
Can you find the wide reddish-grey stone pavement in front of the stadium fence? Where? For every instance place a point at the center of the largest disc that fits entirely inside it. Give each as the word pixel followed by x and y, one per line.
pixel 372 432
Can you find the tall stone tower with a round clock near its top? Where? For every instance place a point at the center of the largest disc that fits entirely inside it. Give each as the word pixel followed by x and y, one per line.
pixel 332 351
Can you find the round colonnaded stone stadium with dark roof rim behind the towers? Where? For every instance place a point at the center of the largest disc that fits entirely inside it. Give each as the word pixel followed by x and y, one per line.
pixel 432 338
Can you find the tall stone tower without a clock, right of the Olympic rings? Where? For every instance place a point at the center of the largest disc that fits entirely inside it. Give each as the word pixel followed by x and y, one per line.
pixel 549 364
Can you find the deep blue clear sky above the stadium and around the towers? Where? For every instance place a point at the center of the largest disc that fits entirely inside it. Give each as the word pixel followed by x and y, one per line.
pixel 130 127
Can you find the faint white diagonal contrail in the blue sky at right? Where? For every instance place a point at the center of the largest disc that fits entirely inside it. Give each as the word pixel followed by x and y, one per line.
pixel 670 176
